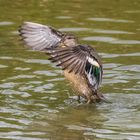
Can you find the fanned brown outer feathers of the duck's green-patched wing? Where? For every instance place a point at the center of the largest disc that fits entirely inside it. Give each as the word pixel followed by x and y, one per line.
pixel 72 58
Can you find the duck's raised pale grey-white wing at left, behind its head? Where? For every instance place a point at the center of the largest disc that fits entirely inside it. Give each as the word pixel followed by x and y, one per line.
pixel 39 37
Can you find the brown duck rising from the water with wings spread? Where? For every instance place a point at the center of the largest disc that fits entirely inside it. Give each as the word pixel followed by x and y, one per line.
pixel 80 63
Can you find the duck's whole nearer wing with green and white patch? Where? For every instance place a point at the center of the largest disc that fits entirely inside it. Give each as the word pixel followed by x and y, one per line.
pixel 80 60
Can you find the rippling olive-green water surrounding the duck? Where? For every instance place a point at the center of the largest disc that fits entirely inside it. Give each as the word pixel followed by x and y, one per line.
pixel 36 101
